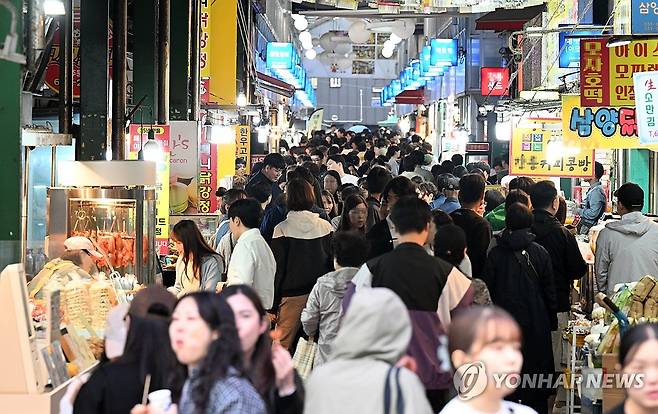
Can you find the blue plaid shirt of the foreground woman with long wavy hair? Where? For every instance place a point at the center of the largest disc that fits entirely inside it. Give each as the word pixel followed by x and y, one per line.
pixel 230 395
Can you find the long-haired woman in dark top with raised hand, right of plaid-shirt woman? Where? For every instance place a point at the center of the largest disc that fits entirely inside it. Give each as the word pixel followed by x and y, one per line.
pixel 267 365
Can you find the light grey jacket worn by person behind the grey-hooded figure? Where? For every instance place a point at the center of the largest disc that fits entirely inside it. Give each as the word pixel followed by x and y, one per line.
pixel 323 308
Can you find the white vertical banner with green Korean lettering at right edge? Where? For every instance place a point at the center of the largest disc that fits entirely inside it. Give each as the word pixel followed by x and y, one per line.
pixel 646 104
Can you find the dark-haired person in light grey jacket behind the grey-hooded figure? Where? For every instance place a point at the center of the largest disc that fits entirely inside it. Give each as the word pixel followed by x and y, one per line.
pixel 323 307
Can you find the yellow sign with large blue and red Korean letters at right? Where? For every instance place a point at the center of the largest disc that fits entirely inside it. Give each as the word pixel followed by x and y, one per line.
pixel 600 127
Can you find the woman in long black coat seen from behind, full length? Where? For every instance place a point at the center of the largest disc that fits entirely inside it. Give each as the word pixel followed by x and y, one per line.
pixel 519 276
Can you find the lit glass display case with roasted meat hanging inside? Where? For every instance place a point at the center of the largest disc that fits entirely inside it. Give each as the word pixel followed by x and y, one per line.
pixel 120 222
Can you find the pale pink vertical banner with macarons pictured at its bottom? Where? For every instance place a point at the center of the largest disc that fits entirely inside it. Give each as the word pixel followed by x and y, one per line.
pixel 184 167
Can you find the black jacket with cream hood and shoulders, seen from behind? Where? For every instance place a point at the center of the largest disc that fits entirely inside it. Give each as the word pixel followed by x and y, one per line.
pixel 301 245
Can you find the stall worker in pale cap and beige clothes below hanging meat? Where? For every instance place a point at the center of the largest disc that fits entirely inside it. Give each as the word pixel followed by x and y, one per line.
pixel 77 263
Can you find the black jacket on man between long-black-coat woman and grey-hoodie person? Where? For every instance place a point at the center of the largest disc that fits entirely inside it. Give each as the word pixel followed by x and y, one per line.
pixel 568 262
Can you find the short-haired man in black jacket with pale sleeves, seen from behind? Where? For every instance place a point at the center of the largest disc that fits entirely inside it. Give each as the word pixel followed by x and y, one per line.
pixel 432 289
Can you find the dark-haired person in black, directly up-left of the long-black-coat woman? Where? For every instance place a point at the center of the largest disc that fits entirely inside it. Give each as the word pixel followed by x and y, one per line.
pixel 477 229
